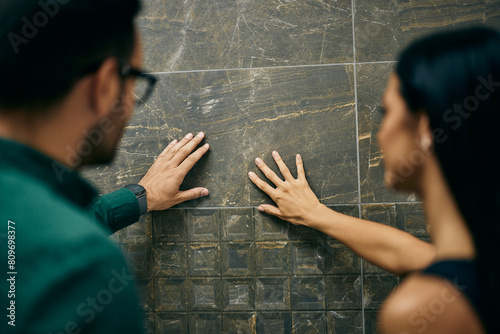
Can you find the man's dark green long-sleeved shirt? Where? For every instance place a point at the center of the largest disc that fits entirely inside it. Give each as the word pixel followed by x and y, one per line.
pixel 60 273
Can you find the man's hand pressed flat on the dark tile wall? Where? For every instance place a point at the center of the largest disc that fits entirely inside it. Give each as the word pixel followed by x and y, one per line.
pixel 163 179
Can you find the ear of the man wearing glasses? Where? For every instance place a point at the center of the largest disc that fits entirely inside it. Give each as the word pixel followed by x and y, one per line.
pixel 105 88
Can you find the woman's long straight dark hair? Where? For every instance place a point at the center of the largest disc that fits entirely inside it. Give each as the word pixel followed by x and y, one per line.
pixel 455 77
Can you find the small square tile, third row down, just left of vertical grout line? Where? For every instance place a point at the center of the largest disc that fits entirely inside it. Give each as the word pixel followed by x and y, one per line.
pixel 343 292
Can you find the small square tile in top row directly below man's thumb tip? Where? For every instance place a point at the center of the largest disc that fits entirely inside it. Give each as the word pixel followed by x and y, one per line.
pixel 202 225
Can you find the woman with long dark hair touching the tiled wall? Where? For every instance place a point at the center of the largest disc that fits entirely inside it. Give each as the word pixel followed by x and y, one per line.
pixel 442 111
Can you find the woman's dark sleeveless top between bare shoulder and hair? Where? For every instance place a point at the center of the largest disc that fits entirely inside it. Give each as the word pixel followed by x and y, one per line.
pixel 463 274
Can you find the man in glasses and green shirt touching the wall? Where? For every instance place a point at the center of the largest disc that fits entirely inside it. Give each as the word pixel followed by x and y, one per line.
pixel 68 71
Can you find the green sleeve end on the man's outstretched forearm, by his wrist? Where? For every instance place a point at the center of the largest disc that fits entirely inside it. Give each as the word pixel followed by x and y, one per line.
pixel 116 210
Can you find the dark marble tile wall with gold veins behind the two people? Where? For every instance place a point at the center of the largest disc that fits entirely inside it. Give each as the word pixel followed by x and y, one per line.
pixel 297 76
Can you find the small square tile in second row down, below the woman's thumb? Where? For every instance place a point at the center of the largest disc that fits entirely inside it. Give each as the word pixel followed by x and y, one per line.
pixel 272 258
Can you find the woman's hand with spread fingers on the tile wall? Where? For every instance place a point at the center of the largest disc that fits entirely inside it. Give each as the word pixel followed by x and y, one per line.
pixel 295 200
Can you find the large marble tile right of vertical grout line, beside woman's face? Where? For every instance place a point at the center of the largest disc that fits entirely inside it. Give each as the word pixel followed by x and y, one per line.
pixel 371 80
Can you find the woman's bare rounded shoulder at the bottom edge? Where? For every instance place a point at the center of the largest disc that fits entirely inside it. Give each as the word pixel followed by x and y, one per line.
pixel 426 304
